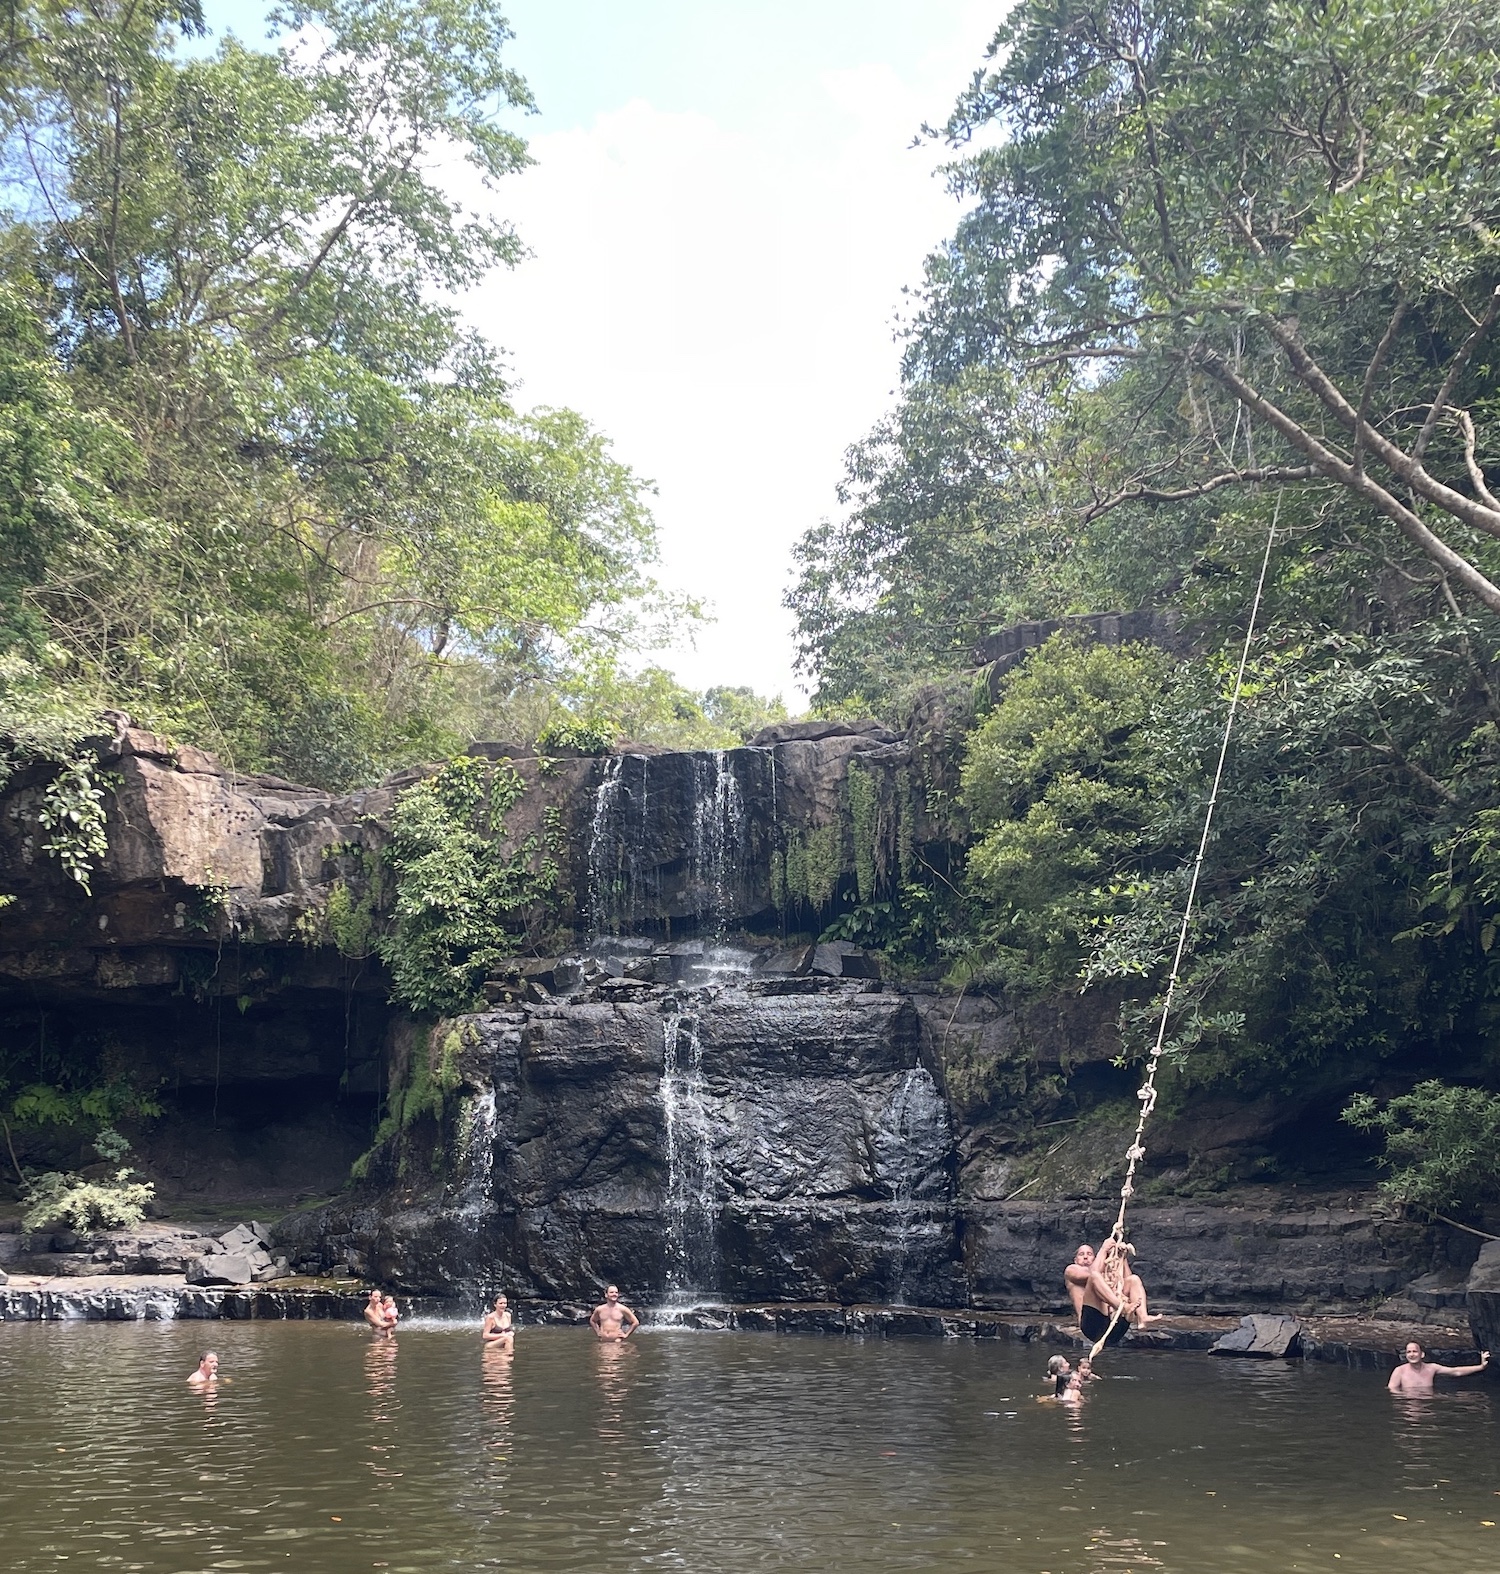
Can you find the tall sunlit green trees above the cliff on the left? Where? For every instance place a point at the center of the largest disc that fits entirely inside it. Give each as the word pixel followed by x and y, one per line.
pixel 259 486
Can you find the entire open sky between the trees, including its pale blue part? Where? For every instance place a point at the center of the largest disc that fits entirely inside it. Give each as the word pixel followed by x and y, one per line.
pixel 722 218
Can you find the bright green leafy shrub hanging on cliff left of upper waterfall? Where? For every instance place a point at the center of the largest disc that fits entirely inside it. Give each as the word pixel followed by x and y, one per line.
pixel 464 889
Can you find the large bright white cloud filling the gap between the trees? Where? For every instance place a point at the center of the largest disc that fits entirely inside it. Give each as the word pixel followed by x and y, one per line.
pixel 722 306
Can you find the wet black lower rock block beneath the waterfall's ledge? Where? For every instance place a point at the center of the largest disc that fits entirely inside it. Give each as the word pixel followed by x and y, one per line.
pixel 778 1140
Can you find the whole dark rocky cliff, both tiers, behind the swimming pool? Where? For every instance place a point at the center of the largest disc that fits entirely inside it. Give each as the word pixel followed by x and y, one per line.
pixel 645 1103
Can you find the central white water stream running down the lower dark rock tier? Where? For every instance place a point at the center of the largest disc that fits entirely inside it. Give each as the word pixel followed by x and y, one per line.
pixel 692 1203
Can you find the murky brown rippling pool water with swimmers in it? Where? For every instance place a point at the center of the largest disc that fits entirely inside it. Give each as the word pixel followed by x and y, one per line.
pixel 701 1452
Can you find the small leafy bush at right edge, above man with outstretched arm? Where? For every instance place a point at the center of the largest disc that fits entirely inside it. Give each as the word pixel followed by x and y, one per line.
pixel 1443 1145
